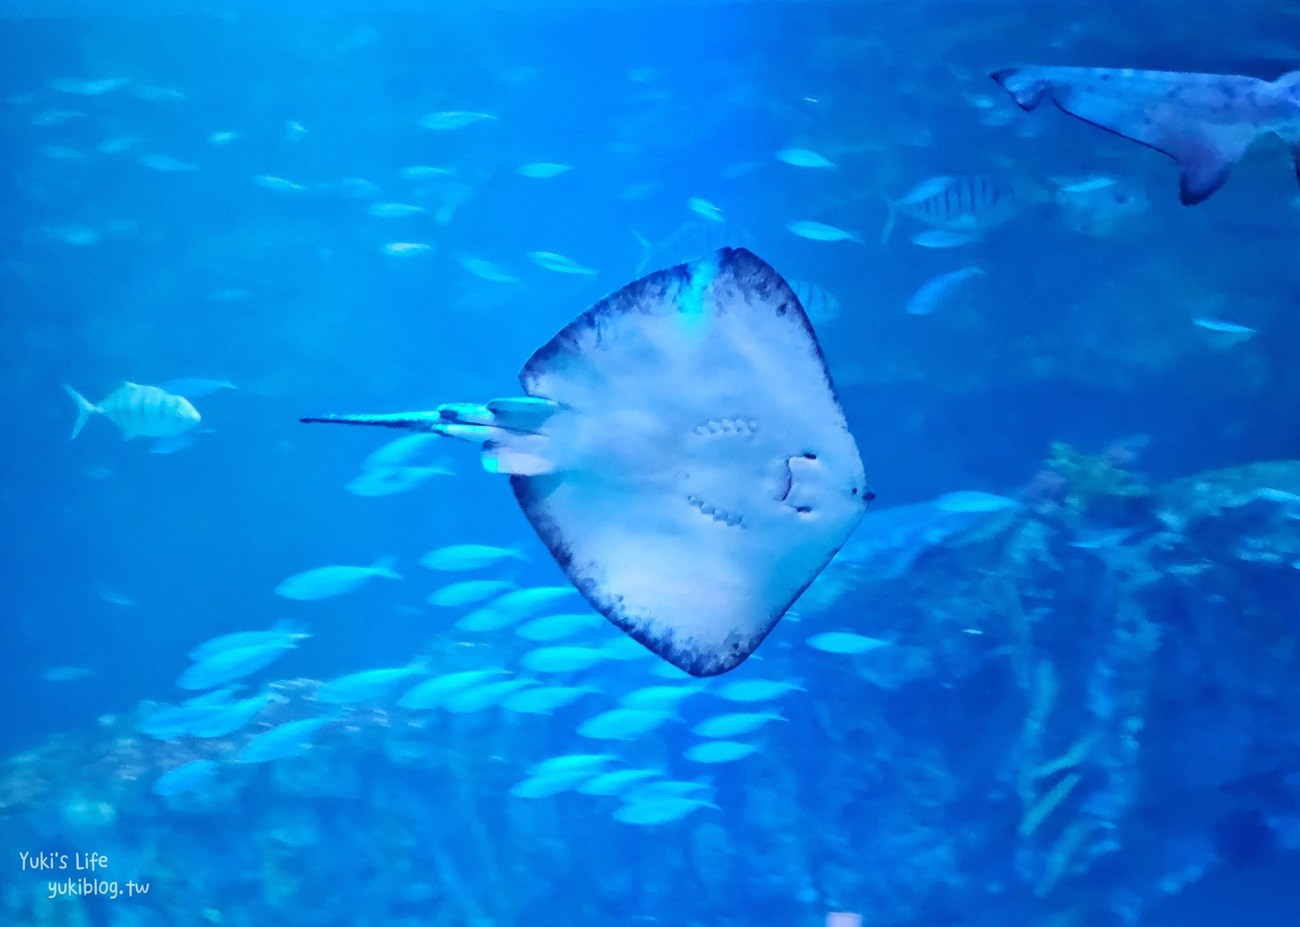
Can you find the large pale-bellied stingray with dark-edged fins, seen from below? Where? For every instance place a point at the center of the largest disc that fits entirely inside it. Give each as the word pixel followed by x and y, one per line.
pixel 682 454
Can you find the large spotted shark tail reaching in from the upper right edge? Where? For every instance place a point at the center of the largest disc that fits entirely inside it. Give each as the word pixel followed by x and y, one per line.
pixel 1203 122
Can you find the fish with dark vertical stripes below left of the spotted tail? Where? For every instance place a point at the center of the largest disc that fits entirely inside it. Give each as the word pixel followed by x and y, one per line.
pixel 970 203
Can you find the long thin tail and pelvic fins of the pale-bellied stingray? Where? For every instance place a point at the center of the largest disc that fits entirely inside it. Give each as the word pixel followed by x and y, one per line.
pixel 510 431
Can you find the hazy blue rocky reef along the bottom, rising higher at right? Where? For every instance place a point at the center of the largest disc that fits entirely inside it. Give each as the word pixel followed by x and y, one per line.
pixel 1089 714
